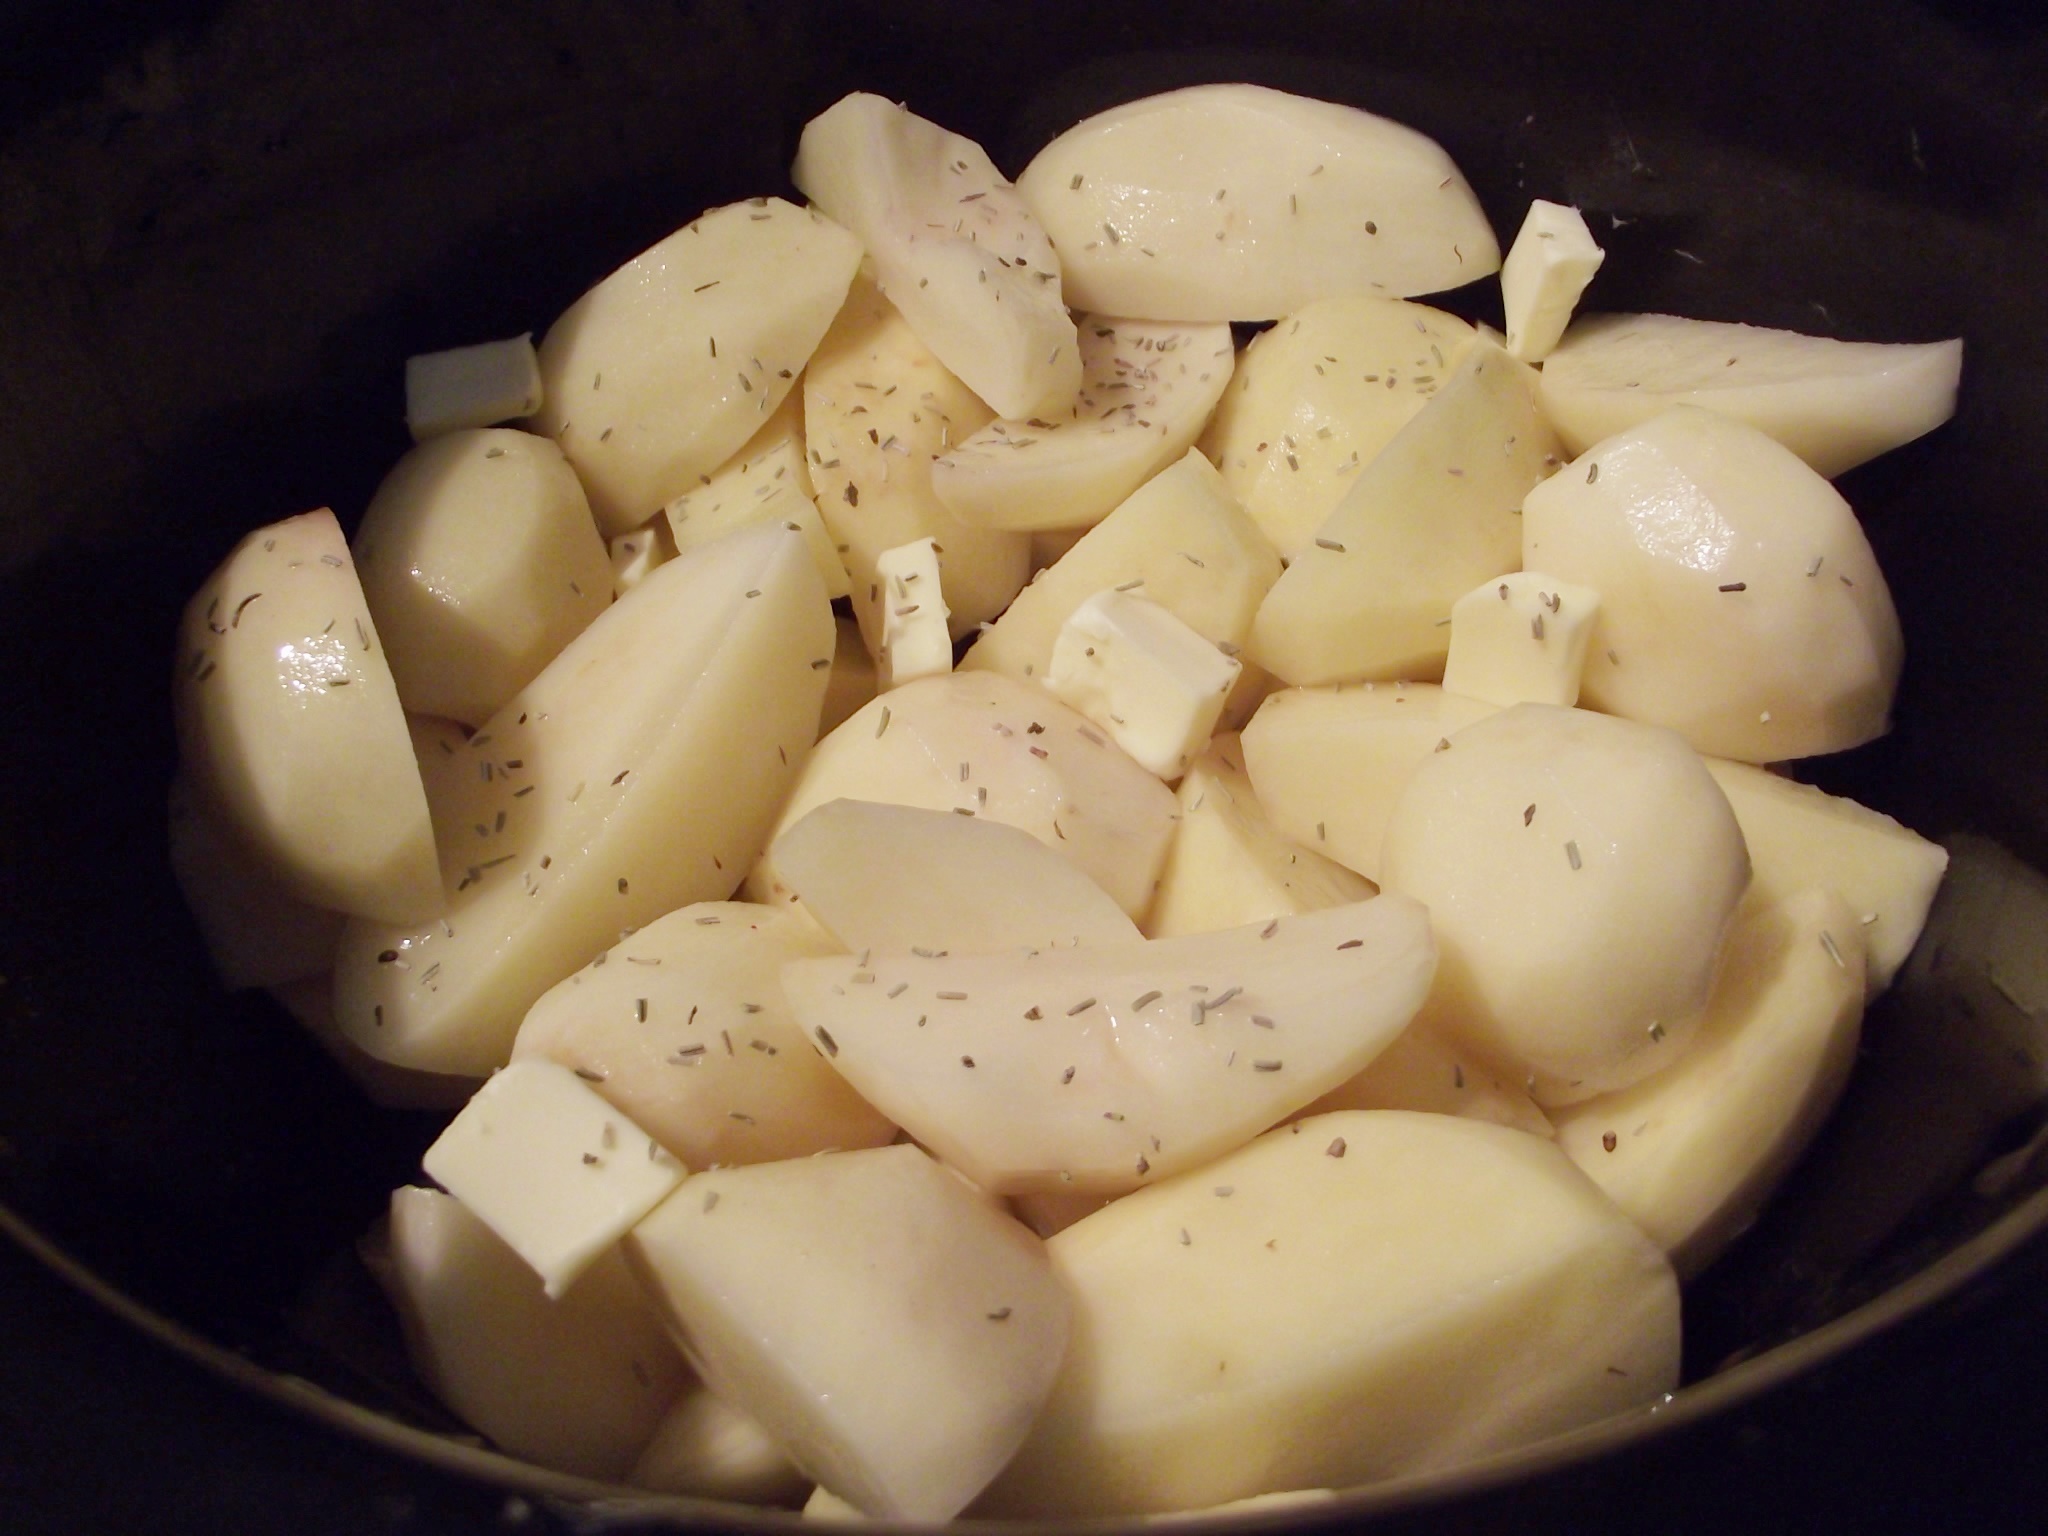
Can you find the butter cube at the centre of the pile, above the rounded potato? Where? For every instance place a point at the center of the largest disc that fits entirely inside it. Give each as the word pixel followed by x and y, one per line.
pixel 1140 673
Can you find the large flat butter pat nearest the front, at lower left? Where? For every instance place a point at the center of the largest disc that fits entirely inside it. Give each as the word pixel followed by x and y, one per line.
pixel 552 1168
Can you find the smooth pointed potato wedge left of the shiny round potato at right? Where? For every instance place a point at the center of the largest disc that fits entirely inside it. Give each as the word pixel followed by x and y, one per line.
pixel 1433 517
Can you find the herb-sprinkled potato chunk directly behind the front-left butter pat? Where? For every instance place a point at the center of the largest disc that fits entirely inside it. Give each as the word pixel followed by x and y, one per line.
pixel 683 1029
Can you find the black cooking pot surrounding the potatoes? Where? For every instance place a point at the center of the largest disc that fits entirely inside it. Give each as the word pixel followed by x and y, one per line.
pixel 224 226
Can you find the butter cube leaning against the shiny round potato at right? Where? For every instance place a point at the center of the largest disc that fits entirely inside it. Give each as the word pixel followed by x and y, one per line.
pixel 1521 640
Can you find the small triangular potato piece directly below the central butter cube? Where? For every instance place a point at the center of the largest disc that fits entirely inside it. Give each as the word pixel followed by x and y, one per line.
pixel 1230 867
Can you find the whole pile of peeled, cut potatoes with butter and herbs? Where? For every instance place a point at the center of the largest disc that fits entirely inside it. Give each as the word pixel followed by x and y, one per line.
pixel 1033 912
